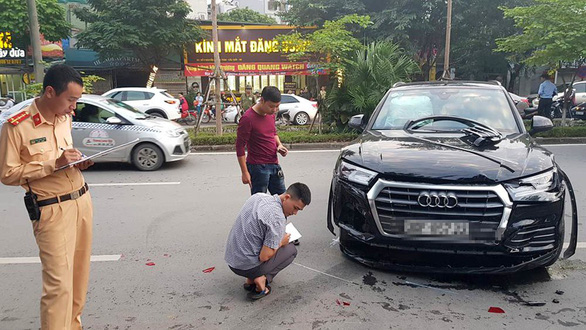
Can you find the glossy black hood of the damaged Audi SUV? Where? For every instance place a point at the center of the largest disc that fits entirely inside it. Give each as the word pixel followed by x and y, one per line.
pixel 400 155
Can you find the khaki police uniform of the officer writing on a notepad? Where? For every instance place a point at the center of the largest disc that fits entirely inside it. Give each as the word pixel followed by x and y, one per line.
pixel 29 148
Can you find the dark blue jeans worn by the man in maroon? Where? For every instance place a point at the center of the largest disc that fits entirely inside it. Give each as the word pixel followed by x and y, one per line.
pixel 266 176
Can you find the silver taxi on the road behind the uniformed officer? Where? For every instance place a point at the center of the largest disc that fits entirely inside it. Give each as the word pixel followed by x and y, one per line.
pixel 100 123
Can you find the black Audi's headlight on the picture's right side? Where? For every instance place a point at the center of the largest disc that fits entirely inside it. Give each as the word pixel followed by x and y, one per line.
pixel 538 188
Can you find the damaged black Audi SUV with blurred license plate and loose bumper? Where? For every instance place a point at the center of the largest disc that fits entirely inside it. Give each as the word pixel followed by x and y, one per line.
pixel 445 178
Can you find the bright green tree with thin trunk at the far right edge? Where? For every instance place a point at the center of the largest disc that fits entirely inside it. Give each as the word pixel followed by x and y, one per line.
pixel 553 34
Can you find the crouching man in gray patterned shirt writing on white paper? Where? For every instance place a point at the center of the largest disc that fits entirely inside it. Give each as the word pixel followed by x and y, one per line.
pixel 258 247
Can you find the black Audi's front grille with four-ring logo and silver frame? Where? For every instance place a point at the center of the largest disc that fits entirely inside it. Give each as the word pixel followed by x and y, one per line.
pixel 481 207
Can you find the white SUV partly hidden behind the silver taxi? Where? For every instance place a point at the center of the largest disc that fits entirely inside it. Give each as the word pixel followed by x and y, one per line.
pixel 153 101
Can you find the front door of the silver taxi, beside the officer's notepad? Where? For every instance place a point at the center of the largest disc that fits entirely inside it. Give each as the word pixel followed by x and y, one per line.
pixel 92 133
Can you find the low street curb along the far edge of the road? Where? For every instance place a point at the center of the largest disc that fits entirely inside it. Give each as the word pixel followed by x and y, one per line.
pixel 339 145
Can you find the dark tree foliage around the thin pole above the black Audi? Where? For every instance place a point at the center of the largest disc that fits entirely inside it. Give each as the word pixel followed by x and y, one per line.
pixel 419 27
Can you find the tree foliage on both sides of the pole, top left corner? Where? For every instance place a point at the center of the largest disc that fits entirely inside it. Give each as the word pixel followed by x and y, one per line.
pixel 14 18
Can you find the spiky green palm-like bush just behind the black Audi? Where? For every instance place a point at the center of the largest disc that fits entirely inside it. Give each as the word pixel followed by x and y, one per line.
pixel 367 77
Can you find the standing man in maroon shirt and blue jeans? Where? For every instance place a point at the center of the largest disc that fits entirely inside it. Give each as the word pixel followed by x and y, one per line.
pixel 258 134
